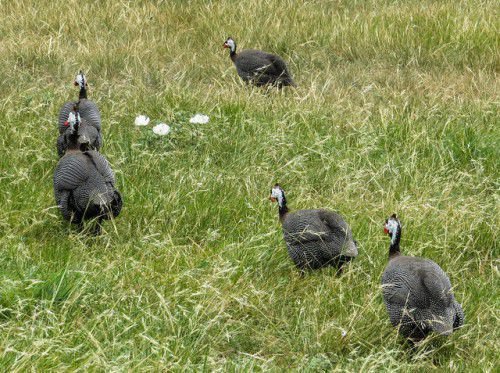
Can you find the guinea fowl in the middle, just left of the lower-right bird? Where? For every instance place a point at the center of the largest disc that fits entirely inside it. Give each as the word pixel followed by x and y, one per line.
pixel 314 238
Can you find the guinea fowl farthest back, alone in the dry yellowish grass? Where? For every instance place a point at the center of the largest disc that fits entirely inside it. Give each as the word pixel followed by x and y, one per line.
pixel 258 67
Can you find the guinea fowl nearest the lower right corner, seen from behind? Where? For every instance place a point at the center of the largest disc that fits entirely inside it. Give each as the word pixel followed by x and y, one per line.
pixel 417 293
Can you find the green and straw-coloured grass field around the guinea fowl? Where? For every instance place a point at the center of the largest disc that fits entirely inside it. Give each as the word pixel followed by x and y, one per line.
pixel 396 110
